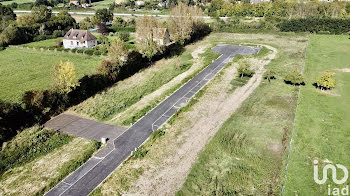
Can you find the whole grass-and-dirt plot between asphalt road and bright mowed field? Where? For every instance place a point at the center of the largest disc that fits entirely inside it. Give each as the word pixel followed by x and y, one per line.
pixel 164 162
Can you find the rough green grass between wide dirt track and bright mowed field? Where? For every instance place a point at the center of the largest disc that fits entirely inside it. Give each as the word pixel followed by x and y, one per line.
pixel 246 156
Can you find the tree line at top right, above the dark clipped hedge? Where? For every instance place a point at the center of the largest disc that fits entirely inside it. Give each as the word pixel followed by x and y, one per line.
pixel 221 8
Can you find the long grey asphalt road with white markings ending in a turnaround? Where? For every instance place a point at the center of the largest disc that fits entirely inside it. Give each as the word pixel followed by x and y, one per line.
pixel 98 168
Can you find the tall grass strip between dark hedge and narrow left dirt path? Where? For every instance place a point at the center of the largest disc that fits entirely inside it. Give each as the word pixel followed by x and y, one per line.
pixel 125 93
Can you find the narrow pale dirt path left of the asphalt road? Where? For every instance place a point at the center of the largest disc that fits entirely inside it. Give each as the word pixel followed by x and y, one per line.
pixel 119 118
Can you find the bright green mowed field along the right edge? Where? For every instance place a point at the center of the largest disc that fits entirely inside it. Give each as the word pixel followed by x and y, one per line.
pixel 322 130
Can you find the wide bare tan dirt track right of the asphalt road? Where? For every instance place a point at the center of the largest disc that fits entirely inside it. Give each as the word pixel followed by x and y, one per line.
pixel 203 121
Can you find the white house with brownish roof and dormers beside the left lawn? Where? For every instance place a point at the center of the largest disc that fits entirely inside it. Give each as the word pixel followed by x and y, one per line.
pixel 77 39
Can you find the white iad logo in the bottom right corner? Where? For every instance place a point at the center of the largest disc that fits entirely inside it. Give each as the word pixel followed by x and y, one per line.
pixel 332 191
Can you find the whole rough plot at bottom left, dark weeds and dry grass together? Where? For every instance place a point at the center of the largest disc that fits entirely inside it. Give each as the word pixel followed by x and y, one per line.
pixel 37 159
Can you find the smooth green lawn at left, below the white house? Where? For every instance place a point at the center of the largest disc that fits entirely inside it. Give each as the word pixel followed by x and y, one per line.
pixel 23 70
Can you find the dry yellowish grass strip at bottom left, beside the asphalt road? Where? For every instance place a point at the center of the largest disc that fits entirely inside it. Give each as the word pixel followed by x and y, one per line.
pixel 36 176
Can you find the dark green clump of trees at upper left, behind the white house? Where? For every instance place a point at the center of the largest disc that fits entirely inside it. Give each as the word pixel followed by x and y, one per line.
pixel 38 25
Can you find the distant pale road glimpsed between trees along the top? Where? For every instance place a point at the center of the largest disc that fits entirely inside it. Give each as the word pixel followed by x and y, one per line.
pixel 115 14
